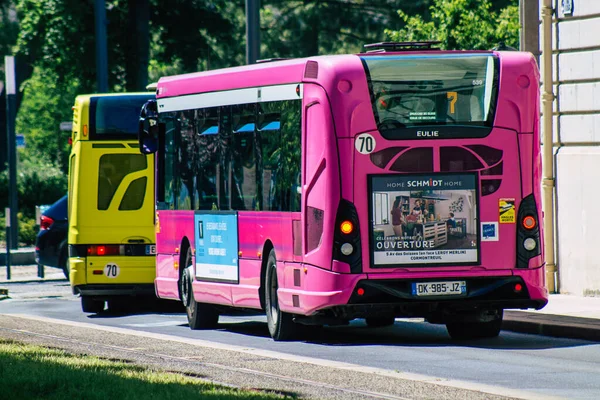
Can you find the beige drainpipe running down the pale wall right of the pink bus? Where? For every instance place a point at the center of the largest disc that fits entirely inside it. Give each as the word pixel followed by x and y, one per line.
pixel 548 181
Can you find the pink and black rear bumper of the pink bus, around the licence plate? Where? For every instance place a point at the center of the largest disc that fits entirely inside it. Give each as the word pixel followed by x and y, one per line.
pixel 331 294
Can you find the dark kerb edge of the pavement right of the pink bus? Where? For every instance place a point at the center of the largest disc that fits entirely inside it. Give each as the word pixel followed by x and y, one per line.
pixel 562 326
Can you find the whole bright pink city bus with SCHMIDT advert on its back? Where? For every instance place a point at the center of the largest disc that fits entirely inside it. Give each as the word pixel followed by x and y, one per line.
pixel 401 182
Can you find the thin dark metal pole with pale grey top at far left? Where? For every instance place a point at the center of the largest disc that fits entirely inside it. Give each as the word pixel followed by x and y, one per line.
pixel 11 108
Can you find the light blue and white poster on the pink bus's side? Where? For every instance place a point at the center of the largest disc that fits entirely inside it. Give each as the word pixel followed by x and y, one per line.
pixel 216 246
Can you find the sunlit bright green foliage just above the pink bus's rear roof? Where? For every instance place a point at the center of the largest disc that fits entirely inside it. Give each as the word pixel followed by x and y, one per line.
pixel 462 24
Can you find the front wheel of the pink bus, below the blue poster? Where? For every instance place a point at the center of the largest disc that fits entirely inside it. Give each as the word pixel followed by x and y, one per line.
pixel 200 315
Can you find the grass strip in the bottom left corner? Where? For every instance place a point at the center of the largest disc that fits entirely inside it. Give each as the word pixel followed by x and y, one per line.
pixel 34 372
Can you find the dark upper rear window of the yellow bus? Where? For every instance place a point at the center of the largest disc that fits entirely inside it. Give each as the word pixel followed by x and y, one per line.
pixel 116 117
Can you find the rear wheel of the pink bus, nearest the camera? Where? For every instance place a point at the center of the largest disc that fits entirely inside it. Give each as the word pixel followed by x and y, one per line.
pixel 281 325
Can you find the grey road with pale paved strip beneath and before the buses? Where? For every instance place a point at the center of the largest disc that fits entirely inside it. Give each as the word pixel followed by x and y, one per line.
pixel 412 359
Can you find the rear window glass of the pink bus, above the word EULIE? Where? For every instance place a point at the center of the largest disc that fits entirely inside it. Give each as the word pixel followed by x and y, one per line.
pixel 413 91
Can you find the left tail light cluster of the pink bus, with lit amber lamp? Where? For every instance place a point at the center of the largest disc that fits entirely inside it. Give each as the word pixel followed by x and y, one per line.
pixel 346 237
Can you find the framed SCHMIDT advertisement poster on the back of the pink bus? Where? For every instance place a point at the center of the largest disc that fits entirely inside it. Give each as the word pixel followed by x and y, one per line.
pixel 424 219
